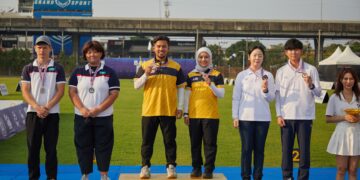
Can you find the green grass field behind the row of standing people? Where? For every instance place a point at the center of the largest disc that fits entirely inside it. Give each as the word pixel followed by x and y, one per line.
pixel 127 125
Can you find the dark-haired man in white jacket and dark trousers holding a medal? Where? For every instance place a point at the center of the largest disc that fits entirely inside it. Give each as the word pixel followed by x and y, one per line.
pixel 297 84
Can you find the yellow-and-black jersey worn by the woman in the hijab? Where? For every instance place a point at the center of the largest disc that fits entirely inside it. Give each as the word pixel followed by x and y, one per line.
pixel 203 102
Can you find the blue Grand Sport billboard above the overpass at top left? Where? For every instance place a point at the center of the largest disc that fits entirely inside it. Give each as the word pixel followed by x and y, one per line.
pixel 63 5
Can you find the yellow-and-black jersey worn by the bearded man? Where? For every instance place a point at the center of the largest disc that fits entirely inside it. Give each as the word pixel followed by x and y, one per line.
pixel 160 89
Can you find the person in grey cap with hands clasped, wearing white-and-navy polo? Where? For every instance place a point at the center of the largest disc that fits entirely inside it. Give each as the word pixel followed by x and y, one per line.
pixel 43 83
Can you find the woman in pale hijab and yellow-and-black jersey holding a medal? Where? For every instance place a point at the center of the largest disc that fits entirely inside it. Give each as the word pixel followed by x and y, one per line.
pixel 204 87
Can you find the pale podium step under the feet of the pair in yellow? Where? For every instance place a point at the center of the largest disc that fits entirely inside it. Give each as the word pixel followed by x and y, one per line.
pixel 154 176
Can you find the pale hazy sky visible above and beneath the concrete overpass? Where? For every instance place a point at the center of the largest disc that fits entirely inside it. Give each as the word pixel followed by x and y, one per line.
pixel 327 10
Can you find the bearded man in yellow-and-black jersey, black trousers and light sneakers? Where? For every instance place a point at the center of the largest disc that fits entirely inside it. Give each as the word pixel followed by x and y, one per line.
pixel 163 82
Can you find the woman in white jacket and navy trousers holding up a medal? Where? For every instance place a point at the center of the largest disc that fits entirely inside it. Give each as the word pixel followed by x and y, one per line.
pixel 254 89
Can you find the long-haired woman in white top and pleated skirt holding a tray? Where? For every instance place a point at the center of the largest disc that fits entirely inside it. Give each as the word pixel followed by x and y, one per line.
pixel 345 140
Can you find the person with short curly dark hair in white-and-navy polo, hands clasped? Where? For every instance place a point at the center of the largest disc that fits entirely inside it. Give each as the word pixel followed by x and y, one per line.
pixel 93 89
